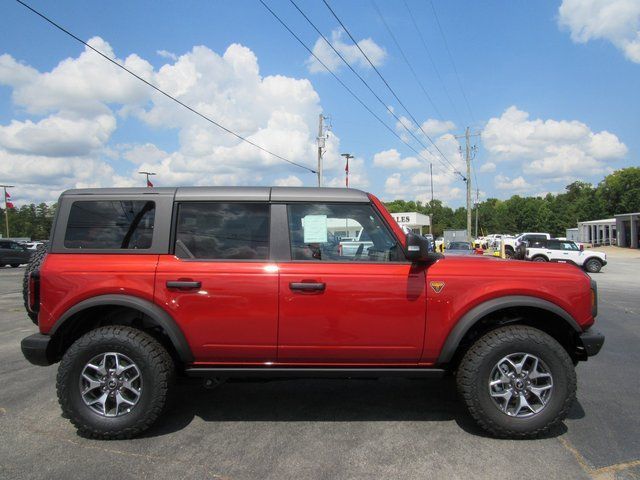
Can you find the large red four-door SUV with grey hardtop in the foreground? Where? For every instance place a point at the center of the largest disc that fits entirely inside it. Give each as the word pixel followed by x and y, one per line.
pixel 138 286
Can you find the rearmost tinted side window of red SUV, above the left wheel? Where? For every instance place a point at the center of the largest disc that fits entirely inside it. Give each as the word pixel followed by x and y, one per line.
pixel 110 225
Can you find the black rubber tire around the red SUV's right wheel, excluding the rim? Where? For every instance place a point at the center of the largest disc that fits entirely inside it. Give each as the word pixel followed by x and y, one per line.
pixel 474 372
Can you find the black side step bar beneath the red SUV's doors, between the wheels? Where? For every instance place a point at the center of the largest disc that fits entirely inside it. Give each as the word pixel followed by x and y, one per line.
pixel 307 372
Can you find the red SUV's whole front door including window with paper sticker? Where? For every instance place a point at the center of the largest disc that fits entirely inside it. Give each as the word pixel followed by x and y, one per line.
pixel 348 301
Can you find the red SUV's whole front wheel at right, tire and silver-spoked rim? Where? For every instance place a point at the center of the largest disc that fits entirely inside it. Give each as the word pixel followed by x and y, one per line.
pixel 517 382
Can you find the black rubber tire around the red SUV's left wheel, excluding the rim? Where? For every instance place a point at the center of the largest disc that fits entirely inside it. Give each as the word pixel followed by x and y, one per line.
pixel 158 375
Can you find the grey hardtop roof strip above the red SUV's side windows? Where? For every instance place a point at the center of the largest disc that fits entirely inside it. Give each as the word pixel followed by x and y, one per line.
pixel 255 194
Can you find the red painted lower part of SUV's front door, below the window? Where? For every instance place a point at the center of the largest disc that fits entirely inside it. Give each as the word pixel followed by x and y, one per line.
pixel 368 313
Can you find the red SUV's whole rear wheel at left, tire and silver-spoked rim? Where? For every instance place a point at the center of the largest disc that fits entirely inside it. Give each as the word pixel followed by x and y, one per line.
pixel 113 382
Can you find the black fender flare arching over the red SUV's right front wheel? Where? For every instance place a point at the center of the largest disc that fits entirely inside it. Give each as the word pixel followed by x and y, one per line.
pixel 476 313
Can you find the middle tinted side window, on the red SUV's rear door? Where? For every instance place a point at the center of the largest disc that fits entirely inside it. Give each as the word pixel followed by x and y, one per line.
pixel 223 231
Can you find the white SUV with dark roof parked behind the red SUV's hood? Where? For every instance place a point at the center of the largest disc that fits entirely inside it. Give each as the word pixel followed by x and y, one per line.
pixel 566 251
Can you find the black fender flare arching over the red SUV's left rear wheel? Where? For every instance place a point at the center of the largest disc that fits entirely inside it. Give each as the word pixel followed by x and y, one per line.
pixel 153 311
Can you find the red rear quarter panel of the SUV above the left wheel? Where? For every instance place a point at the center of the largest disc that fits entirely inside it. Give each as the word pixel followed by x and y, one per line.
pixel 68 279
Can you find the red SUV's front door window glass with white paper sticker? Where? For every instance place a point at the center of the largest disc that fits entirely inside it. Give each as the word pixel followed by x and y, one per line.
pixel 314 228
